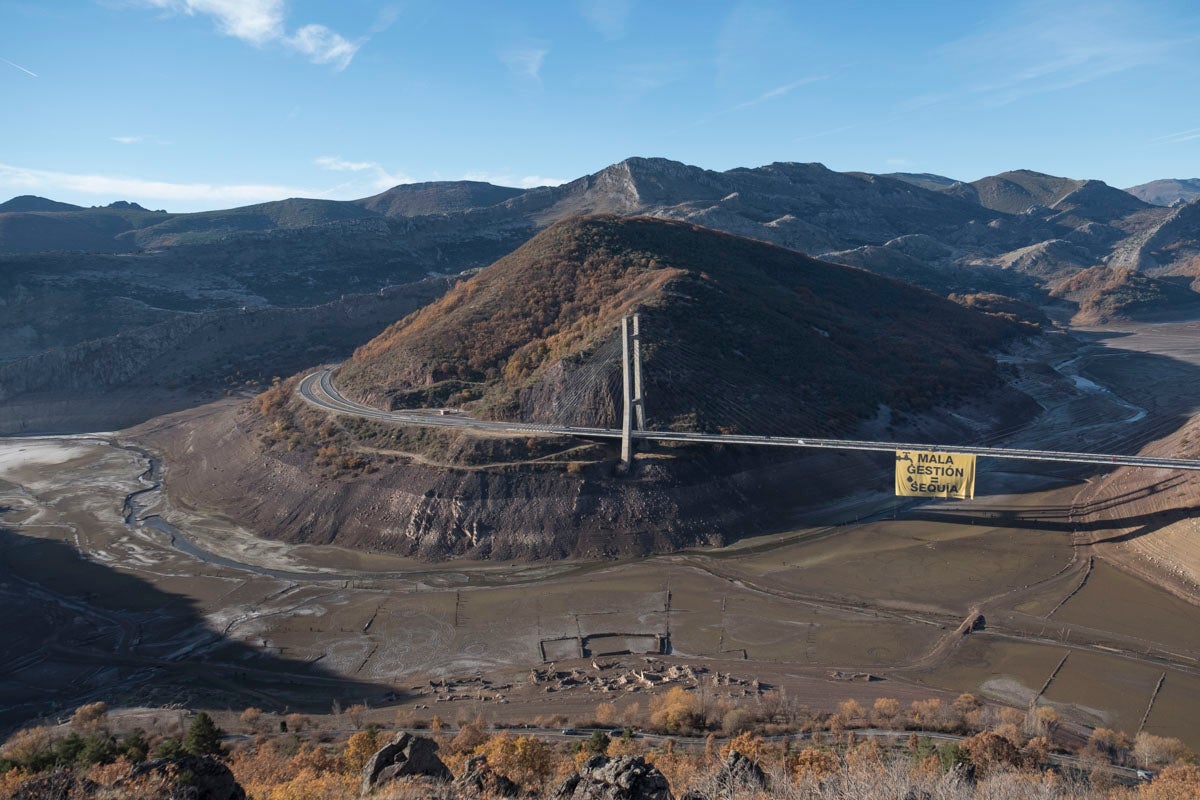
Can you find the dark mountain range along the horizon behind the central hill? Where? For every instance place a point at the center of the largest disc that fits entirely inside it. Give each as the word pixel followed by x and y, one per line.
pixel 73 276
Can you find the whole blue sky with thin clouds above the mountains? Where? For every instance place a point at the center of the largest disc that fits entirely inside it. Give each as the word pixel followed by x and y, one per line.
pixel 194 105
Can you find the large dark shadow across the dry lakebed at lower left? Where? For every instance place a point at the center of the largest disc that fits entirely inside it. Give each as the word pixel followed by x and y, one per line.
pixel 77 631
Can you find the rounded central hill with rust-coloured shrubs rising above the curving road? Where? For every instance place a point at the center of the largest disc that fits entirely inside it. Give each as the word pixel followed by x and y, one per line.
pixel 727 322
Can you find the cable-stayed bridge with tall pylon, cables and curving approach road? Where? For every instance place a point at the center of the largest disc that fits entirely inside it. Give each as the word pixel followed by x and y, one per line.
pixel 319 390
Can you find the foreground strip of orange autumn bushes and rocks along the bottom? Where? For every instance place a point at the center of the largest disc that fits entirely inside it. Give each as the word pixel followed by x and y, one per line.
pixel 961 750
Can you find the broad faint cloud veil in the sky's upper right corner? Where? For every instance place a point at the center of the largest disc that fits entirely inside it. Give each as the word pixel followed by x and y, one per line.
pixel 1042 47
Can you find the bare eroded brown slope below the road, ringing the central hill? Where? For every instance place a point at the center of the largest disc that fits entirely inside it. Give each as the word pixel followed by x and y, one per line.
pixel 433 513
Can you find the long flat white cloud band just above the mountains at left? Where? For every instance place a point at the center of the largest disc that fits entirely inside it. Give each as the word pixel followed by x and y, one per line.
pixel 27 181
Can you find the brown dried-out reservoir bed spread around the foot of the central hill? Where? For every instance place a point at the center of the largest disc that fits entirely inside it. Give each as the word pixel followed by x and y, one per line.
pixel 105 609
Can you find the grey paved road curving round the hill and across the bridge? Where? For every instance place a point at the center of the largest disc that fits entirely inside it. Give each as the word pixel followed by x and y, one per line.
pixel 319 390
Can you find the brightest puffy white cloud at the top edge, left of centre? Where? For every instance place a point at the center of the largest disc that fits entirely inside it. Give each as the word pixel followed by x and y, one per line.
pixel 263 22
